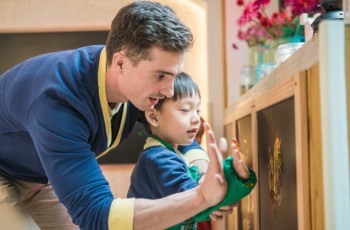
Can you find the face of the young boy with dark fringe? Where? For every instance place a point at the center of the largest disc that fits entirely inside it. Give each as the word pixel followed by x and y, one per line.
pixel 179 121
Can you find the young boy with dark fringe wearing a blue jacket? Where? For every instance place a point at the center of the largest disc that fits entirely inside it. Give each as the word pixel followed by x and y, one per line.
pixel 161 169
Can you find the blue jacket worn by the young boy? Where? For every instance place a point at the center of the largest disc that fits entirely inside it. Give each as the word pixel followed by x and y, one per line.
pixel 159 172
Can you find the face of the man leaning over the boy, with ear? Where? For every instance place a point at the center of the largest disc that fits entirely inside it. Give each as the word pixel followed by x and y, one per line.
pixel 150 80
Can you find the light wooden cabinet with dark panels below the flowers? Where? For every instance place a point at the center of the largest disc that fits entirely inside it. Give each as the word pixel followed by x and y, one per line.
pixel 278 126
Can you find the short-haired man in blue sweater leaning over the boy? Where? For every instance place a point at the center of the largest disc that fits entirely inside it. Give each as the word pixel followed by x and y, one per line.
pixel 61 111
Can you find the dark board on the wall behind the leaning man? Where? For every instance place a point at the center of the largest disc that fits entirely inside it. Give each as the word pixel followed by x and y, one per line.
pixel 17 47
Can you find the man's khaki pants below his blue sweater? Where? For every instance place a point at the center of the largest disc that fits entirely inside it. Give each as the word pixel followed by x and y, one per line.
pixel 25 205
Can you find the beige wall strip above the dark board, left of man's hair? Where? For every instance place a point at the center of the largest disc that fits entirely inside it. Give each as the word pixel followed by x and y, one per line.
pixel 57 15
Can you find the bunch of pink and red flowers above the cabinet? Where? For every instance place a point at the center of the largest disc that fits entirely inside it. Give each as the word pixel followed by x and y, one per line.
pixel 256 27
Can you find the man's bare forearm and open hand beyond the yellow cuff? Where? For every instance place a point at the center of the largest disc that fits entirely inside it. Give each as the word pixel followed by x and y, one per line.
pixel 168 211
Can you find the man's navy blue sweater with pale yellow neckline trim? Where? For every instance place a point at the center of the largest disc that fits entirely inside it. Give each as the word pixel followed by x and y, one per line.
pixel 53 126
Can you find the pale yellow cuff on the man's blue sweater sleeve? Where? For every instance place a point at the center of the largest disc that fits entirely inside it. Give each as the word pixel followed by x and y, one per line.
pixel 121 214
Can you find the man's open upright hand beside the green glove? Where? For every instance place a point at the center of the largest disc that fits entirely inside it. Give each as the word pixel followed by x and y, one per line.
pixel 214 187
